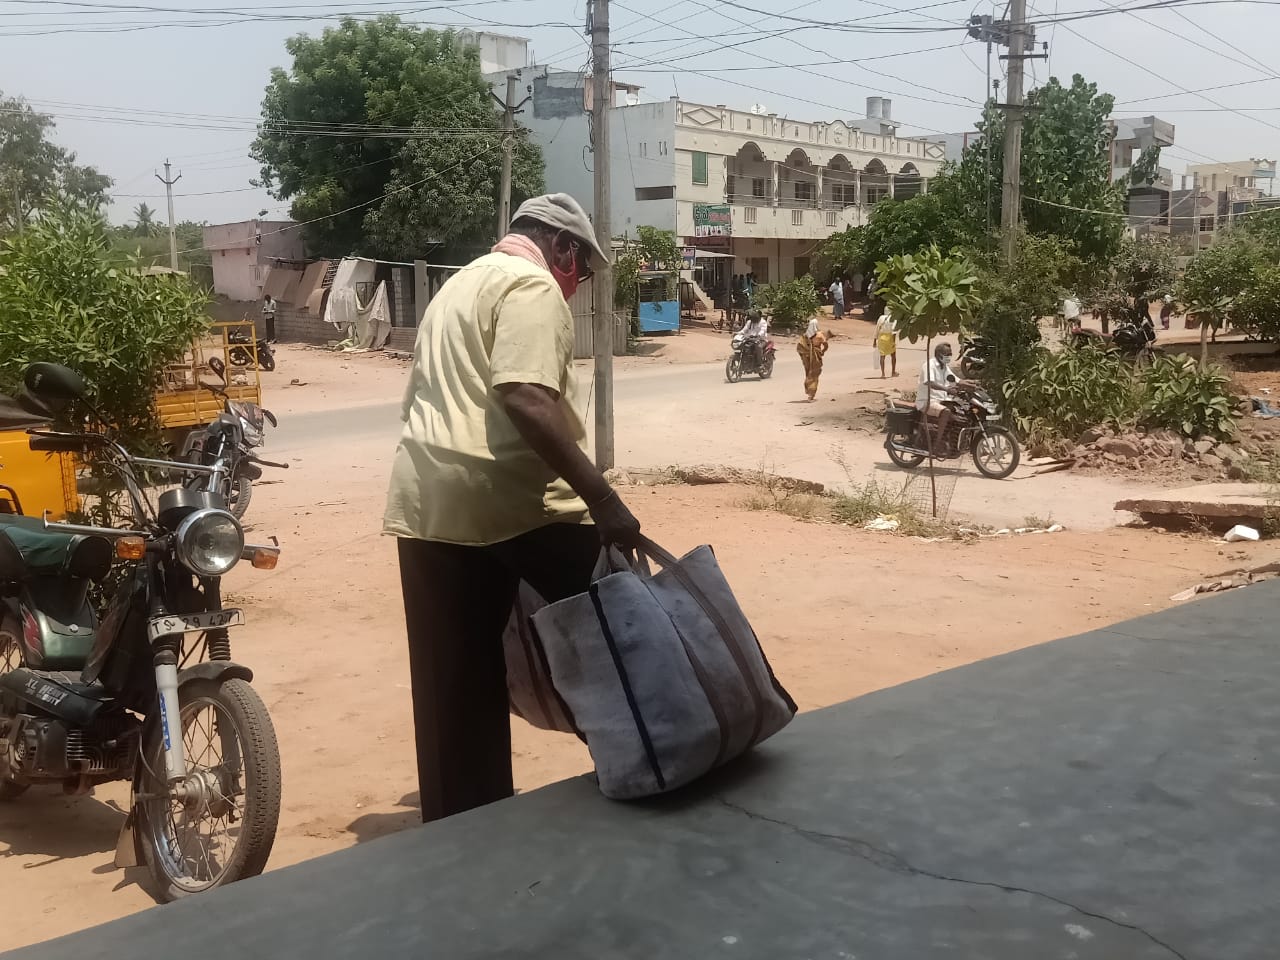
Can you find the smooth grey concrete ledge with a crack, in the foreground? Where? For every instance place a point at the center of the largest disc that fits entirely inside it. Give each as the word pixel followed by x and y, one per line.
pixel 1109 797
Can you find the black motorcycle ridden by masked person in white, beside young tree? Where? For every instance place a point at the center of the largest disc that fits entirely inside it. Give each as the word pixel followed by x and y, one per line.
pixel 972 428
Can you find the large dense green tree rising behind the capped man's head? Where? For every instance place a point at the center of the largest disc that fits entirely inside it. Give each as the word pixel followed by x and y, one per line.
pixel 386 195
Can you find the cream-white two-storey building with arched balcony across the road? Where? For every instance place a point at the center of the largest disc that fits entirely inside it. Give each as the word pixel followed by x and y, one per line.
pixel 761 188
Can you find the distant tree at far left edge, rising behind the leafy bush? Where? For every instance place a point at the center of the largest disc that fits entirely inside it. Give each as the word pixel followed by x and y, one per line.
pixel 34 171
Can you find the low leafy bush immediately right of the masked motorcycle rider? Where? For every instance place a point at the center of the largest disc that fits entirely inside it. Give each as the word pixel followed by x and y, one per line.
pixel 1062 395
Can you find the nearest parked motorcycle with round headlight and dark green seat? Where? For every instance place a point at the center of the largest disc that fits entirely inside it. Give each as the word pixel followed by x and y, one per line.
pixel 150 693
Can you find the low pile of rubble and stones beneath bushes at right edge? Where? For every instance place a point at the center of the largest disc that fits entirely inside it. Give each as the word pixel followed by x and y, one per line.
pixel 1149 452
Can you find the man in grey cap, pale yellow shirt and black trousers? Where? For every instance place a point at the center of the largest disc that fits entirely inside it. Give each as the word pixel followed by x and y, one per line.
pixel 491 486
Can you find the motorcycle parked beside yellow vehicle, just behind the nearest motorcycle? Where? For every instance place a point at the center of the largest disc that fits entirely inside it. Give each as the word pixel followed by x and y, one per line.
pixel 231 441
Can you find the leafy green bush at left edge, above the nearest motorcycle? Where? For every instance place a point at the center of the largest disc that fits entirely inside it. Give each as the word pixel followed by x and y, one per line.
pixel 63 300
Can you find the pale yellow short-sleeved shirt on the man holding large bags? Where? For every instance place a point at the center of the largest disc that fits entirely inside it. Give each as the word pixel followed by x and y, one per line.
pixel 463 474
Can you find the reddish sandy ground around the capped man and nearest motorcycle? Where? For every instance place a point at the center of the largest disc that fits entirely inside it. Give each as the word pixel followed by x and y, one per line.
pixel 840 612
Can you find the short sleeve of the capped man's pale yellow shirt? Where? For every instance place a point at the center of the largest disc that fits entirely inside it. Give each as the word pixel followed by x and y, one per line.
pixel 533 336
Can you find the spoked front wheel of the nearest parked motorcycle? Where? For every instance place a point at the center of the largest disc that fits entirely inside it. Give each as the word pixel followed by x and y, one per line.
pixel 225 831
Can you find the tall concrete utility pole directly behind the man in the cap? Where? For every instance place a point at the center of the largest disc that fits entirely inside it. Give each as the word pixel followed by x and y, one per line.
pixel 602 290
